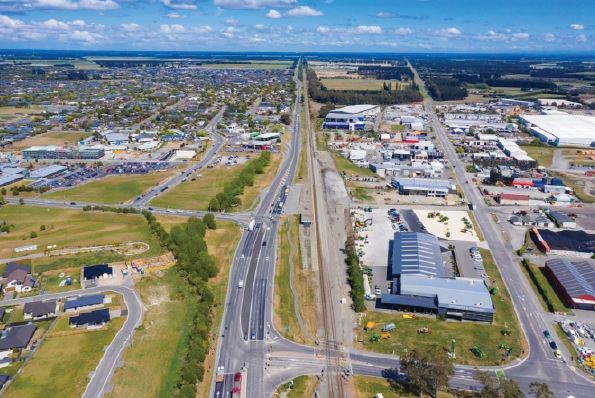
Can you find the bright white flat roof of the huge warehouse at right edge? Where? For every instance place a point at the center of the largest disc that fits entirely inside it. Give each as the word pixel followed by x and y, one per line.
pixel 569 129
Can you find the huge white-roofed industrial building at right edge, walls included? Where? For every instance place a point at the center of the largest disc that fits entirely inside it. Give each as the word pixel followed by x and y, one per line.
pixel 561 128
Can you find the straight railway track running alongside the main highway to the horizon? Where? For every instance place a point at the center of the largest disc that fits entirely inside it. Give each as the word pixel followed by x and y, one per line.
pixel 332 349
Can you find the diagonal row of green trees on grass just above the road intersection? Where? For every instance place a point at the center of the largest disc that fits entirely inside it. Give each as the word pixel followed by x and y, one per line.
pixel 229 198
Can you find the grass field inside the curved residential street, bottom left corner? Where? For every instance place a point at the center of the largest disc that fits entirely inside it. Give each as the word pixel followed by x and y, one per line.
pixel 62 363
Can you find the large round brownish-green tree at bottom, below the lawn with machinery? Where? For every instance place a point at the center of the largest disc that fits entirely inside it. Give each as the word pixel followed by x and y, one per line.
pixel 428 369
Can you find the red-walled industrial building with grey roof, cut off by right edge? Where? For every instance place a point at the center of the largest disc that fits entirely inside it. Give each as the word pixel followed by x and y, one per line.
pixel 574 282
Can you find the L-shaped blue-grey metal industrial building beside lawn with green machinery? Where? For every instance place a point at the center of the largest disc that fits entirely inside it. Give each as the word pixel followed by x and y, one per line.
pixel 420 284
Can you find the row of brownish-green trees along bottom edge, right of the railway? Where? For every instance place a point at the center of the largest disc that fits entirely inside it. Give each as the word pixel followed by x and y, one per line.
pixel 429 369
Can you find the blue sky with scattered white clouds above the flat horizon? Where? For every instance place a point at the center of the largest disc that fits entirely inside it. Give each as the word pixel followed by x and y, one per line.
pixel 301 25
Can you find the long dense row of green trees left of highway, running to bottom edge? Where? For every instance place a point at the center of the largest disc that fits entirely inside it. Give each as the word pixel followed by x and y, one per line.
pixel 195 266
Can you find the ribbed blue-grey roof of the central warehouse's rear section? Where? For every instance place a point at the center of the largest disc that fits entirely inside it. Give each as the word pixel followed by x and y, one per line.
pixel 416 253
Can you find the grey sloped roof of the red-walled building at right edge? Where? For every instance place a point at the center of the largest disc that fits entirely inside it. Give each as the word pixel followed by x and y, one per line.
pixel 577 277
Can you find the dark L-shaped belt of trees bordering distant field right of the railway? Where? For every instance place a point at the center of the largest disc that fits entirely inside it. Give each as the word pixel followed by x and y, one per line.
pixel 320 93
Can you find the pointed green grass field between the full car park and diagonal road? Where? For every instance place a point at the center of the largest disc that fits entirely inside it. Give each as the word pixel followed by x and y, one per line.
pixel 112 189
